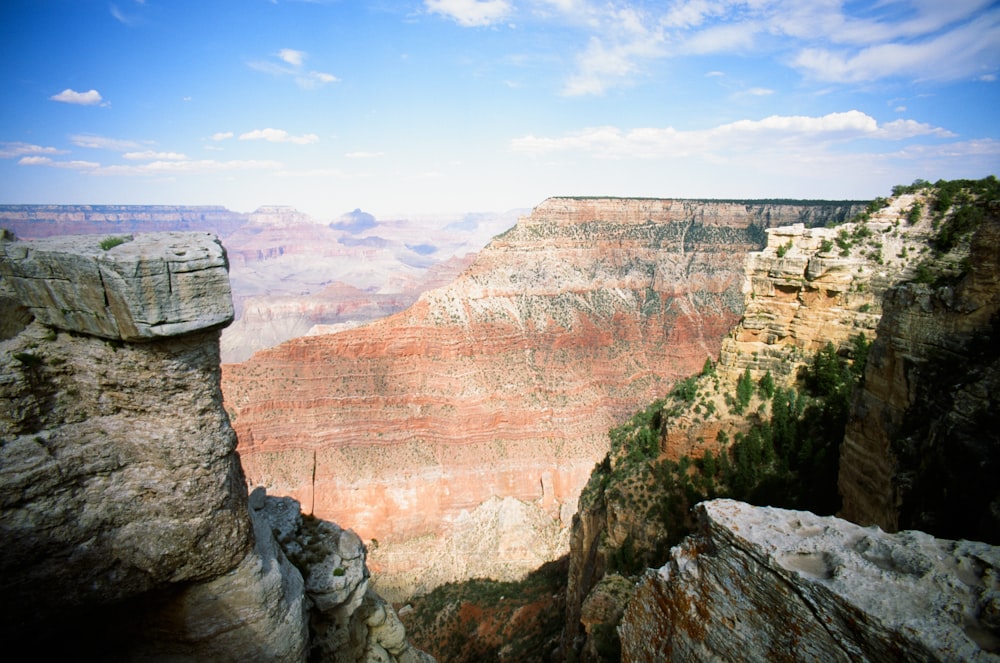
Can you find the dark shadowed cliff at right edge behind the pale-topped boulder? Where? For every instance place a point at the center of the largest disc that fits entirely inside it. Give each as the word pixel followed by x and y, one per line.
pixel 924 448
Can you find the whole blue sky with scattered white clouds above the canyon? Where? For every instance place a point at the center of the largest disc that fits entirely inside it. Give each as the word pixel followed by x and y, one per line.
pixel 488 105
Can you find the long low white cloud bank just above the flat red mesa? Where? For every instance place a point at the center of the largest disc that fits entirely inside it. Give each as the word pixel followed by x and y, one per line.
pixel 774 133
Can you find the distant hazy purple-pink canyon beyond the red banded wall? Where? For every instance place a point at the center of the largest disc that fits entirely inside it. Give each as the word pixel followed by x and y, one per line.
pixel 289 273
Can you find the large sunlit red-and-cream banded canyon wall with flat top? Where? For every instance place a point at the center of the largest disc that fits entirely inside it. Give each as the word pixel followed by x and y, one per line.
pixel 500 385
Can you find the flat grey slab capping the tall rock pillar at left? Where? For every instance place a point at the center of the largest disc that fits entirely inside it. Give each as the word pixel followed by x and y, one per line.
pixel 148 286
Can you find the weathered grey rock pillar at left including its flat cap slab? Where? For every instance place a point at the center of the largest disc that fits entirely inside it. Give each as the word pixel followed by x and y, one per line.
pixel 123 507
